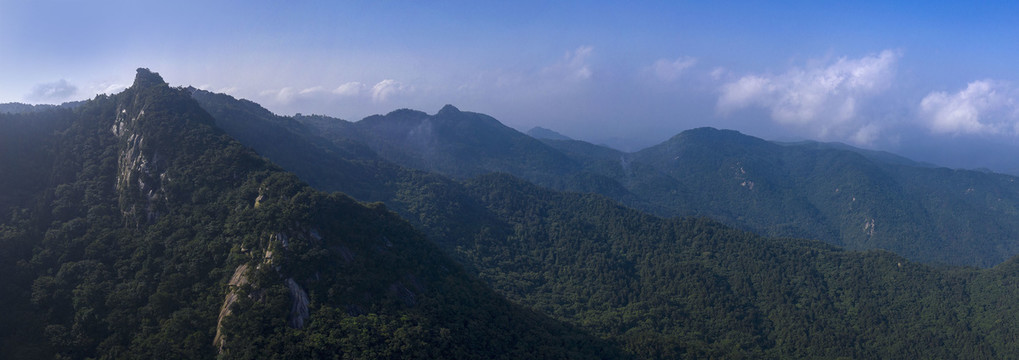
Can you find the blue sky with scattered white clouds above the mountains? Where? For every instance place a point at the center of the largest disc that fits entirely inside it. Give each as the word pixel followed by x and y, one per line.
pixel 933 81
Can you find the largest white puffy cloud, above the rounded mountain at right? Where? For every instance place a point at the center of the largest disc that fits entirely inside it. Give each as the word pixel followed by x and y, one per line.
pixel 825 98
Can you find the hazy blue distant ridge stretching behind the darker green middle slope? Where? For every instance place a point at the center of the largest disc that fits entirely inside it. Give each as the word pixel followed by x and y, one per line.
pixel 848 197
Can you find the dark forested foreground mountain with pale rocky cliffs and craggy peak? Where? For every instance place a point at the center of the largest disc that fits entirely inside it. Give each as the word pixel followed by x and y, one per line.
pixel 134 228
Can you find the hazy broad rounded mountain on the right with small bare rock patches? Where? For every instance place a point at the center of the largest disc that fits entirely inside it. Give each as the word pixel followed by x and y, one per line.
pixel 842 197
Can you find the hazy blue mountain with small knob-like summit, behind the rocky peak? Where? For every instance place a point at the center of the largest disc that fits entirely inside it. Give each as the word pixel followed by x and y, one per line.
pixel 461 145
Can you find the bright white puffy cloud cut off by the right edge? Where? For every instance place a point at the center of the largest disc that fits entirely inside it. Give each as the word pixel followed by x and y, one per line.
pixel 984 108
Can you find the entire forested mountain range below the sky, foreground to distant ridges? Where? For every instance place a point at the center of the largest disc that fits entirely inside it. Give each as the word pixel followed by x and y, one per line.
pixel 175 223
